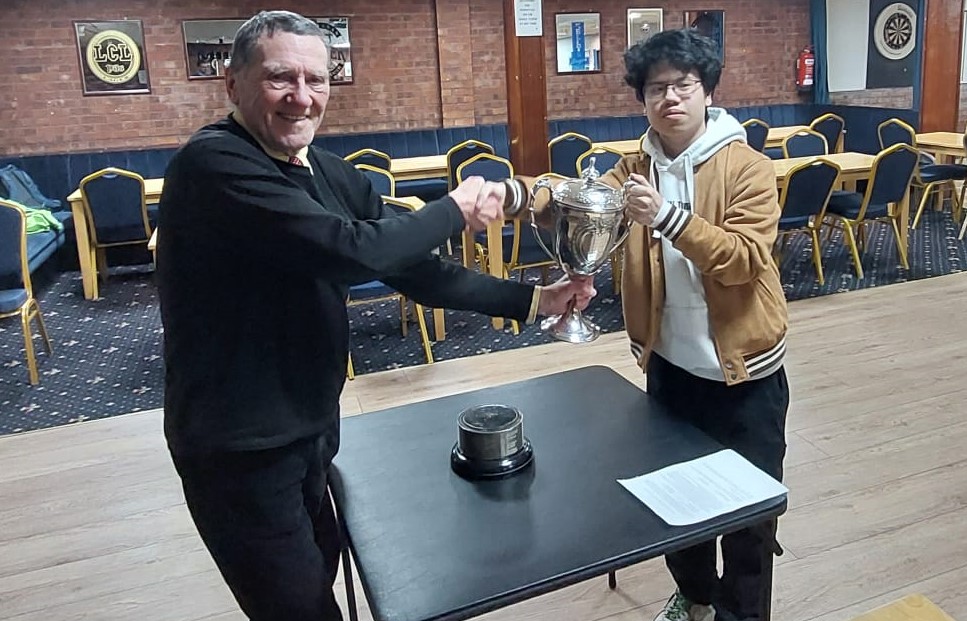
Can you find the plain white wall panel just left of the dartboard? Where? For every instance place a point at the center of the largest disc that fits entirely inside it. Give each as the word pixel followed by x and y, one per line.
pixel 847 34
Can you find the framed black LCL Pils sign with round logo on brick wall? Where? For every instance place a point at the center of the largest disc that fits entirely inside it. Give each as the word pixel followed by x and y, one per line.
pixel 112 58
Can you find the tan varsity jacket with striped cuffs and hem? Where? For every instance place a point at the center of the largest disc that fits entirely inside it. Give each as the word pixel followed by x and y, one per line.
pixel 729 237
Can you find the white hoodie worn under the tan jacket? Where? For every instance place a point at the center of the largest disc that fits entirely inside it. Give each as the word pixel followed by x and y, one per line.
pixel 685 336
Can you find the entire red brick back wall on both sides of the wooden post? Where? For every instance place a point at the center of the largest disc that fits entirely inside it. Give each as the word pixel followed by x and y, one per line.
pixel 400 81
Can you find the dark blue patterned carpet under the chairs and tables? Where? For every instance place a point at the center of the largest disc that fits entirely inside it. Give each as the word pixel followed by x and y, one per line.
pixel 108 357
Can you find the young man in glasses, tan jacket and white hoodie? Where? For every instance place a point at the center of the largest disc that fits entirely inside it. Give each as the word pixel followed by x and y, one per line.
pixel 703 304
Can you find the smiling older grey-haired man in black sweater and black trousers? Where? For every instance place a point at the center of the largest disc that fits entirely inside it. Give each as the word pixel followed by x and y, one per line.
pixel 263 235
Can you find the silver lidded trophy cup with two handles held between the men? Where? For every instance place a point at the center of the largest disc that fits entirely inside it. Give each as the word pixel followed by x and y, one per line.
pixel 588 224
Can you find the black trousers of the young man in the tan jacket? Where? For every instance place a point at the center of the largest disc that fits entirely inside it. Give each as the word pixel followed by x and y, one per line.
pixel 749 418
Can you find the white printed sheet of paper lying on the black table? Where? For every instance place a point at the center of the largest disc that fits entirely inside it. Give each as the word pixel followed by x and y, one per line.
pixel 703 488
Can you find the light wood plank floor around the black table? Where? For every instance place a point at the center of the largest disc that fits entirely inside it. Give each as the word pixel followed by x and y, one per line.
pixel 93 526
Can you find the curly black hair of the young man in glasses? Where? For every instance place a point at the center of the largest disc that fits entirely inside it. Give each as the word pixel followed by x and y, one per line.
pixel 683 49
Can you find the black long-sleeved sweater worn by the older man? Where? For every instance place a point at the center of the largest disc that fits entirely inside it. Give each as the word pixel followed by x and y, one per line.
pixel 254 264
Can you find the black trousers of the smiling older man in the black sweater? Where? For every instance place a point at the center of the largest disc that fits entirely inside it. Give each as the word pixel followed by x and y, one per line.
pixel 267 520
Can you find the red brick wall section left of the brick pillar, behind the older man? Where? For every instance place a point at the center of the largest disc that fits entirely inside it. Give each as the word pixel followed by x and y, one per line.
pixel 394 54
